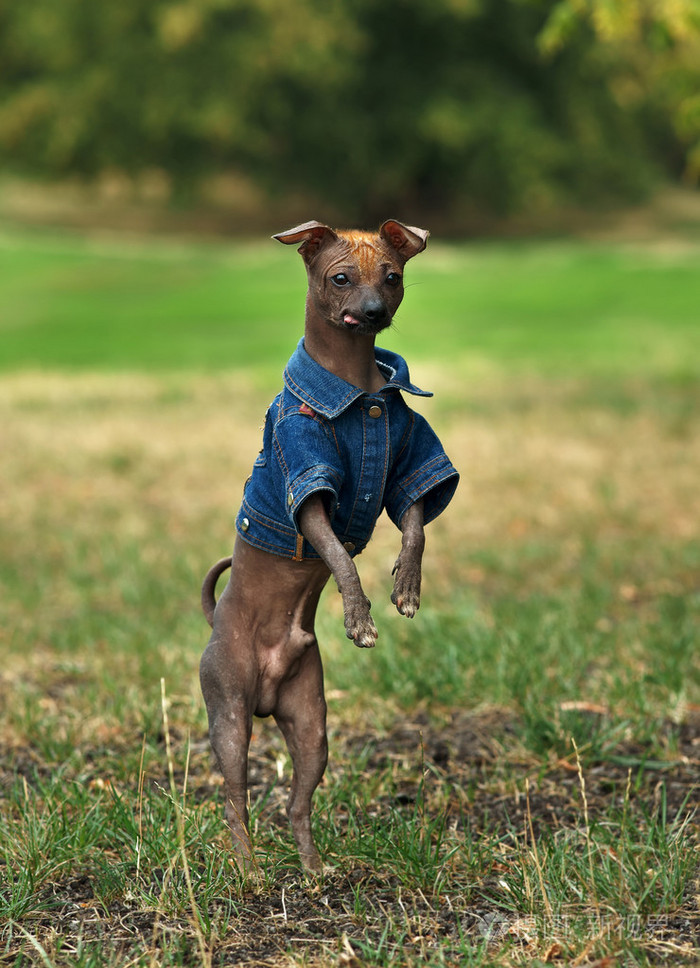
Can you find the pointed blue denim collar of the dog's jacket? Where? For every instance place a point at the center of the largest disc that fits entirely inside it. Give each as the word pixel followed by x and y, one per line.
pixel 327 394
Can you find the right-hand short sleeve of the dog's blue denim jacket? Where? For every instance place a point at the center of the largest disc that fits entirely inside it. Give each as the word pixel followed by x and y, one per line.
pixel 422 470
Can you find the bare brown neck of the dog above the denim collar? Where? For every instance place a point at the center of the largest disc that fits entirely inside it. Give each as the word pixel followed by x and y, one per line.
pixel 347 355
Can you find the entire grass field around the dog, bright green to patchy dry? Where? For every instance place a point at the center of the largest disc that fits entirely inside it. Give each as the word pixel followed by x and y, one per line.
pixel 513 774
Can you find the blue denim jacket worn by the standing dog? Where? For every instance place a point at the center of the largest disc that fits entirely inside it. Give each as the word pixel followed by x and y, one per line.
pixel 364 451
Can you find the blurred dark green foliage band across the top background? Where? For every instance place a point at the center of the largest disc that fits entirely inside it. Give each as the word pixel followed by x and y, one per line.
pixel 449 106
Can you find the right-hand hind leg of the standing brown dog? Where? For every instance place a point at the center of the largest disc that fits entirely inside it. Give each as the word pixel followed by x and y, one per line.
pixel 301 716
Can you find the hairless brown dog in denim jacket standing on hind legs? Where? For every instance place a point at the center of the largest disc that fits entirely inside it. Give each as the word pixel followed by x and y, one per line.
pixel 339 446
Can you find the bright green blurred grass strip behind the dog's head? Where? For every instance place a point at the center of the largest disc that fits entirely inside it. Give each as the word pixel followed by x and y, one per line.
pixel 553 307
